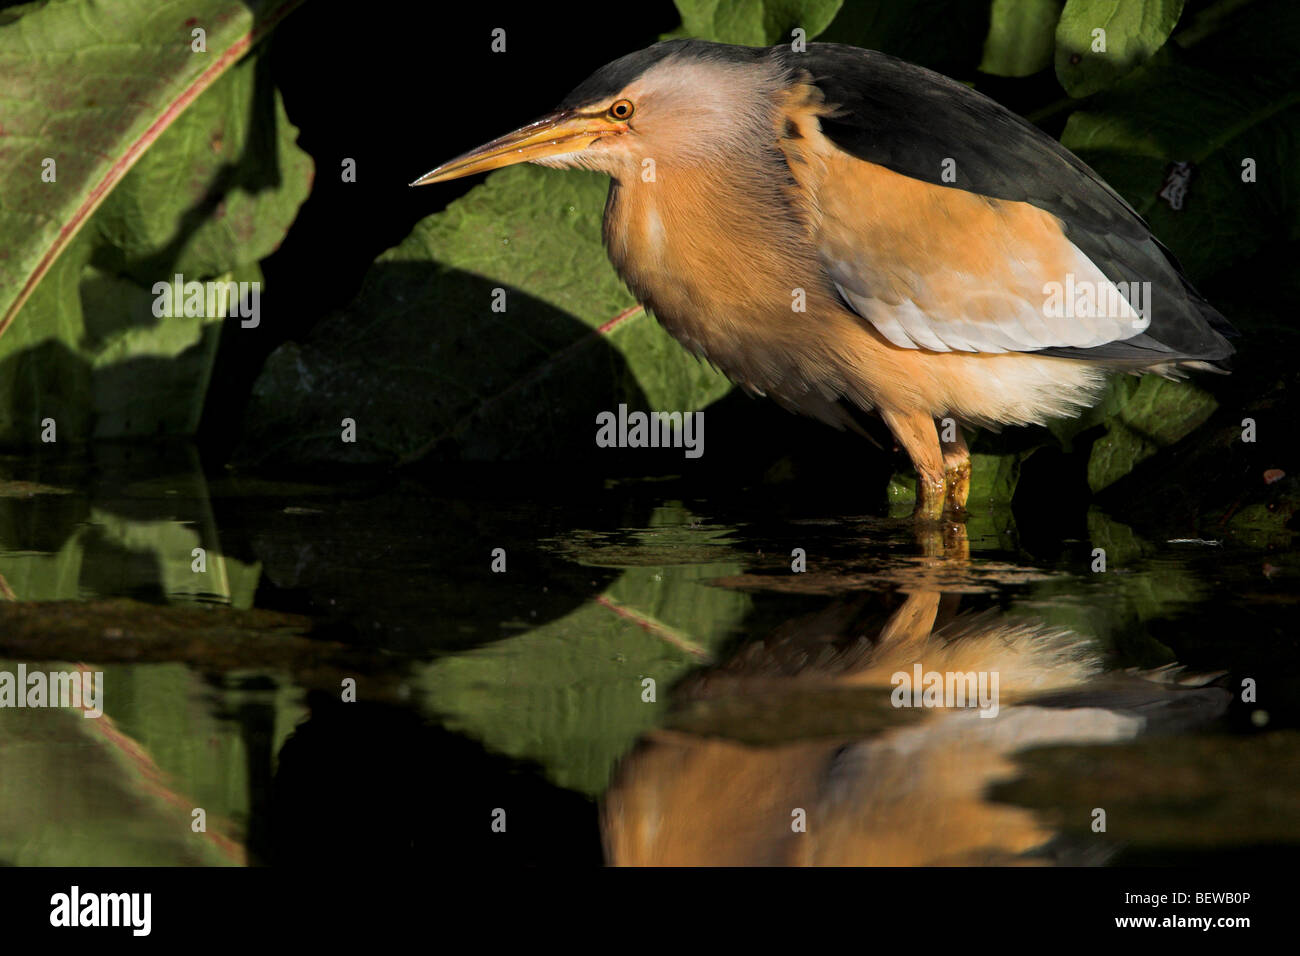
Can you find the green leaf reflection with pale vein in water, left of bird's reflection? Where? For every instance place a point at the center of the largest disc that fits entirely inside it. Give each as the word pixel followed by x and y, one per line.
pixel 570 695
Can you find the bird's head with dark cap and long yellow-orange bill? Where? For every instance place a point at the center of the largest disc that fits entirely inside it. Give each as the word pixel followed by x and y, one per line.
pixel 681 102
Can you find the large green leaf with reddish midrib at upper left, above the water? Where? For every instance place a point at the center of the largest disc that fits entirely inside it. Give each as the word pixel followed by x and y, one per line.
pixel 215 192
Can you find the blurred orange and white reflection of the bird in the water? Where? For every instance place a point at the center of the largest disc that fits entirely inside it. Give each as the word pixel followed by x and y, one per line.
pixel 907 786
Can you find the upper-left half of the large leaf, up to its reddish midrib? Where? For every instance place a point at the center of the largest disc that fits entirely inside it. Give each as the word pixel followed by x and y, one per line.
pixel 93 88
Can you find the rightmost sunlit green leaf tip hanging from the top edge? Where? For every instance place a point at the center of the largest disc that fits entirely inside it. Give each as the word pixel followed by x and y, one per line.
pixel 1132 31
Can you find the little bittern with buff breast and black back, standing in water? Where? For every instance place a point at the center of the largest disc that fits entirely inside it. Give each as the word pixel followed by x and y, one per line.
pixel 838 226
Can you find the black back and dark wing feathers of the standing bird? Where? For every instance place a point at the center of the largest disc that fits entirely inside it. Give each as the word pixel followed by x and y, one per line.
pixel 909 120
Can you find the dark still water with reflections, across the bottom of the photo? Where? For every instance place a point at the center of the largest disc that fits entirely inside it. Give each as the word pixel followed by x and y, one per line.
pixel 648 681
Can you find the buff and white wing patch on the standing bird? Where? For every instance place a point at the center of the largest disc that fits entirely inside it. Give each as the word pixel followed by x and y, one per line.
pixel 947 270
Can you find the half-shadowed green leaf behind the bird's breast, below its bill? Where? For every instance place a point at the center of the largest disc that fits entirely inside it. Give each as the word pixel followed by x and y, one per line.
pixel 423 362
